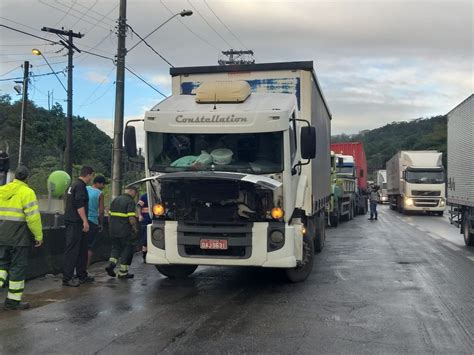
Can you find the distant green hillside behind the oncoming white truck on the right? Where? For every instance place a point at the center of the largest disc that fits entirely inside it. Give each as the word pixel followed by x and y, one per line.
pixel 382 143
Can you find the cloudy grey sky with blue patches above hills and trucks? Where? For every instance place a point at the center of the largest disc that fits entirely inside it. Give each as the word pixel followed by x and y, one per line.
pixel 377 61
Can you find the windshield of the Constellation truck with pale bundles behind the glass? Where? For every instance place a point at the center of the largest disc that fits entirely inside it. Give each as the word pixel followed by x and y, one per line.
pixel 256 153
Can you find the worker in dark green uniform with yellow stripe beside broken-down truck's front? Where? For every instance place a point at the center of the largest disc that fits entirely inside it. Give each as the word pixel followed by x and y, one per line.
pixel 123 232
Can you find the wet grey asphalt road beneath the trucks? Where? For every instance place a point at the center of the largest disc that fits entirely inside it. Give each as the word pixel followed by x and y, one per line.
pixel 403 284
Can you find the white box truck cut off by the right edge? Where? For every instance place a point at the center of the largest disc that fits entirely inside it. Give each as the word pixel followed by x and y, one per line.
pixel 461 168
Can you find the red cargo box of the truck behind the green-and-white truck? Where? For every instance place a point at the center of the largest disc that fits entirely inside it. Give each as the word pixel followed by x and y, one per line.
pixel 357 151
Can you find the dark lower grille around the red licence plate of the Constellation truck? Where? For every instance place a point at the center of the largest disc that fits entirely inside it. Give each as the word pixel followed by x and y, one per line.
pixel 239 240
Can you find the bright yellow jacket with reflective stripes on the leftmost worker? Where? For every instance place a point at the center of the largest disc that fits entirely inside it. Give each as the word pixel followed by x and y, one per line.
pixel 19 215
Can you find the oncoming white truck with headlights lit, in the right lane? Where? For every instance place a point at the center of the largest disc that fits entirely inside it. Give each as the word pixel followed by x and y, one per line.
pixel 416 182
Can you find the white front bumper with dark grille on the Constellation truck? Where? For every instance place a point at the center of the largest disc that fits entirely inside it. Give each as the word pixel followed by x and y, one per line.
pixel 181 245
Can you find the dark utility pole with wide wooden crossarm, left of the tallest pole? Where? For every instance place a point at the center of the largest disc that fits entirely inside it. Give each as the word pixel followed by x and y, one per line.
pixel 67 43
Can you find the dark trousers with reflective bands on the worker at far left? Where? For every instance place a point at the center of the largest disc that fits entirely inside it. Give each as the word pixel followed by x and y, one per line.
pixel 13 264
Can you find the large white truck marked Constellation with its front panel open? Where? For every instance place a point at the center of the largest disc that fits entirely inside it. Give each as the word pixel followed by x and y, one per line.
pixel 238 169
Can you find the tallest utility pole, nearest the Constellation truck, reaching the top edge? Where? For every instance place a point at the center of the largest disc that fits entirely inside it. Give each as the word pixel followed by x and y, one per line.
pixel 119 102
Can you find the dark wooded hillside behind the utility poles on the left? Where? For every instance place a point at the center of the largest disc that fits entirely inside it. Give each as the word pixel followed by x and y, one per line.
pixel 45 141
